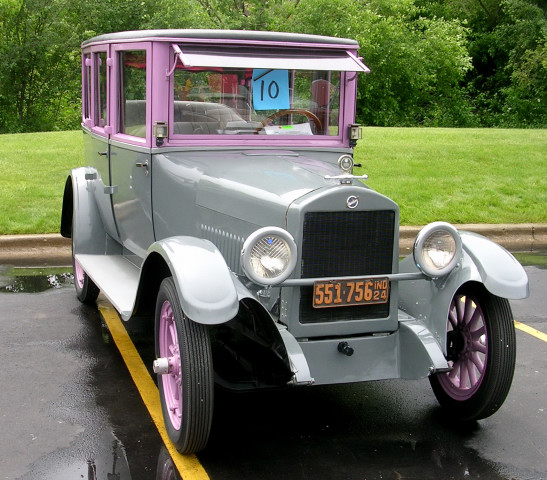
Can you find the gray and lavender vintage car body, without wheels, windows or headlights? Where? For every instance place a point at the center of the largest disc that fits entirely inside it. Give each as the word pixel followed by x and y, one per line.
pixel 139 212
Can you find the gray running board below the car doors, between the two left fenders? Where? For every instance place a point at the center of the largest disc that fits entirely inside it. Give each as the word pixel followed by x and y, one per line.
pixel 117 278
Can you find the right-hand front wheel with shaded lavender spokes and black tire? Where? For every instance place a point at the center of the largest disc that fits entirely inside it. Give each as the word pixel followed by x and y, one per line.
pixel 481 350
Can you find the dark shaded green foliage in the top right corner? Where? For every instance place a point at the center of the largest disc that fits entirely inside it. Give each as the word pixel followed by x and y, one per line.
pixel 507 85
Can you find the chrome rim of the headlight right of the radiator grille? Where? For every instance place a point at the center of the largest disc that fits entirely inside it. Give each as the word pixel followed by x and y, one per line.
pixel 421 255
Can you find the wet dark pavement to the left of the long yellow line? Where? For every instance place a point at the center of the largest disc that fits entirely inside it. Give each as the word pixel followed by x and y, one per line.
pixel 68 408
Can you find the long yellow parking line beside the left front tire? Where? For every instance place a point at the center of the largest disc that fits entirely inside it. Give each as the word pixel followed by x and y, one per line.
pixel 187 465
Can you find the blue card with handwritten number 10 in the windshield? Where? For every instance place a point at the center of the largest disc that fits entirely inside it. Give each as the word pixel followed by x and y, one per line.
pixel 270 89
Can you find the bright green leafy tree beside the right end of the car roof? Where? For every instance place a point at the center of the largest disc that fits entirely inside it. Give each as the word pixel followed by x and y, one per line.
pixel 417 63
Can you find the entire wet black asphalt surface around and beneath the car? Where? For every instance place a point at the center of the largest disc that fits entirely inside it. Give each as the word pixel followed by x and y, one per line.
pixel 69 409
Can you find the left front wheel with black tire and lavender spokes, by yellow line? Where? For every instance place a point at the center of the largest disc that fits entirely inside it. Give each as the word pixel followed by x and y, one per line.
pixel 187 391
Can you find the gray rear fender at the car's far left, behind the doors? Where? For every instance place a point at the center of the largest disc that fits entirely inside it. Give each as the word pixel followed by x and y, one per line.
pixel 80 216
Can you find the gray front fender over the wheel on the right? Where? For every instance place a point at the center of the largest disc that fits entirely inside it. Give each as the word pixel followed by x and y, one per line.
pixel 482 261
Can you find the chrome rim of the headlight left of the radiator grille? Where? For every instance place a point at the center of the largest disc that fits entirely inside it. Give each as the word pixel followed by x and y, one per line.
pixel 247 252
